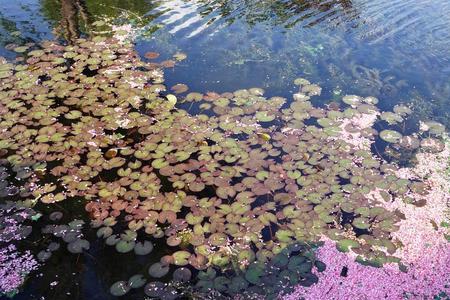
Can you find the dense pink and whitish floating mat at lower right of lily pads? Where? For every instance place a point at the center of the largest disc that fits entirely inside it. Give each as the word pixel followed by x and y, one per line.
pixel 425 250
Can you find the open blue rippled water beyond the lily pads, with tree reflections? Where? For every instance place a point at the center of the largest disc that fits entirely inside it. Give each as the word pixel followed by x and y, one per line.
pixel 398 51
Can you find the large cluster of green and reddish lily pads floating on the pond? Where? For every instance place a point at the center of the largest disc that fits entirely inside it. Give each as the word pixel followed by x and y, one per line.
pixel 228 187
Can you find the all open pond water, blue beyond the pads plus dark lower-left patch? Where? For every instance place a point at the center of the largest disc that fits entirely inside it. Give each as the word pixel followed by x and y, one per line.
pixel 397 51
